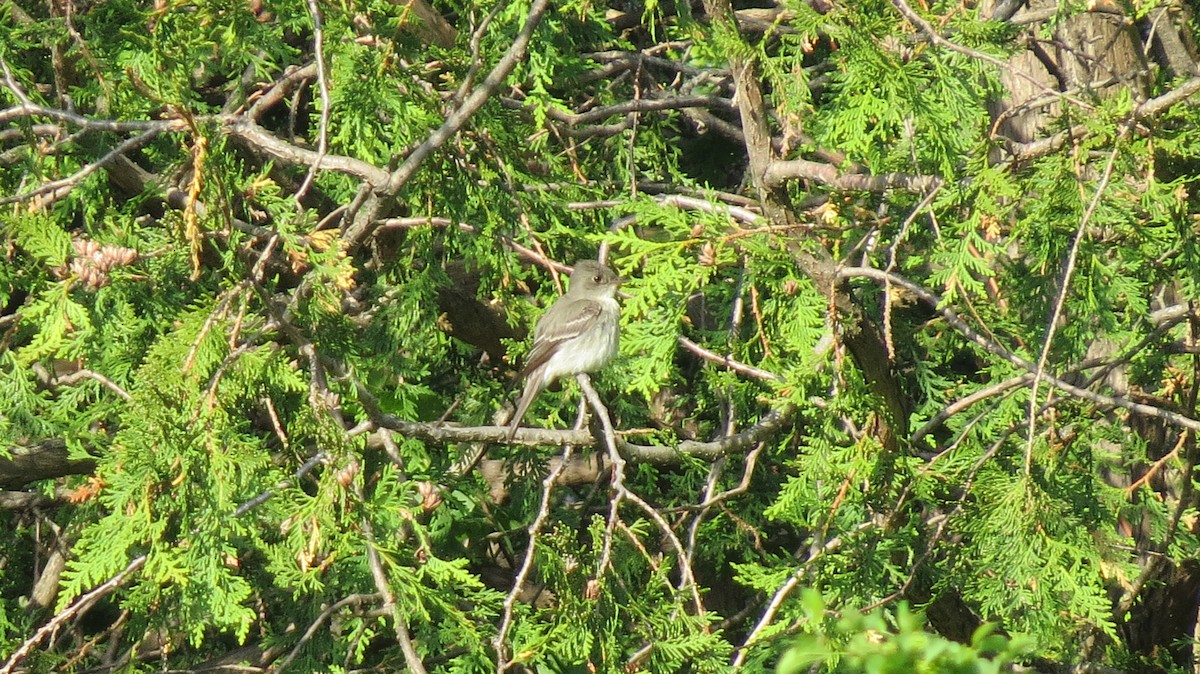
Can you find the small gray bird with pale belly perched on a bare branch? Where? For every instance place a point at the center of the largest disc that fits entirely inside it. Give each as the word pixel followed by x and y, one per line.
pixel 578 334
